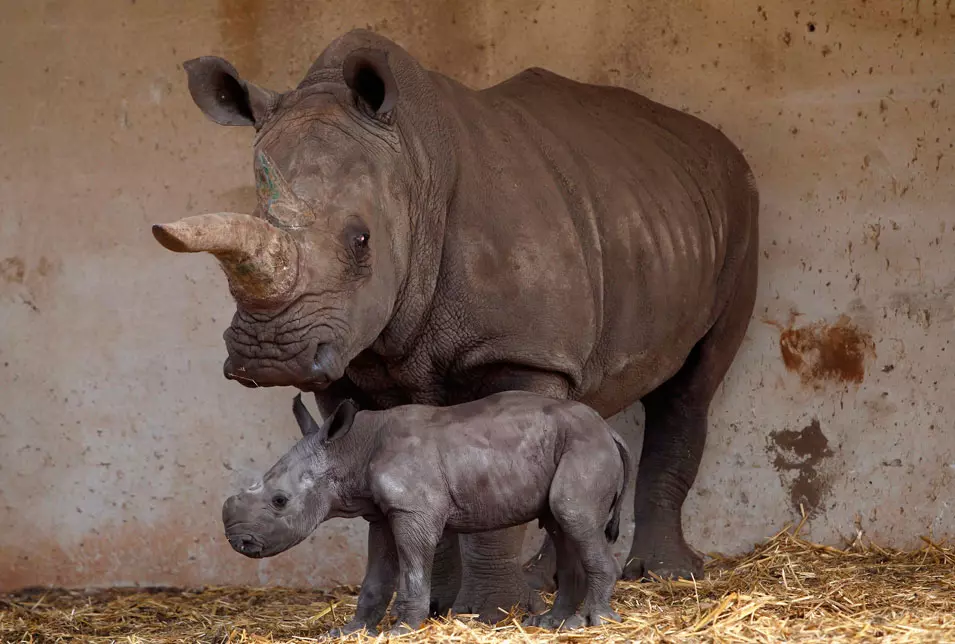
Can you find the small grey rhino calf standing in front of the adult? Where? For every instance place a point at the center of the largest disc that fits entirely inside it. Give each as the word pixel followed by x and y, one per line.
pixel 417 471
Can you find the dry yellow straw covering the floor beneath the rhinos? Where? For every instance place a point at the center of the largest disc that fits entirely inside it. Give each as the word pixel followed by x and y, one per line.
pixel 787 590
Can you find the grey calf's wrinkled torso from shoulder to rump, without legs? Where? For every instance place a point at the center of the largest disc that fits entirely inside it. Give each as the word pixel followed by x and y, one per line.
pixel 490 462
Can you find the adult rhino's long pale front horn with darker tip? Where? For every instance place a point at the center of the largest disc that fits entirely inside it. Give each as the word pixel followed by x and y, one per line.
pixel 259 259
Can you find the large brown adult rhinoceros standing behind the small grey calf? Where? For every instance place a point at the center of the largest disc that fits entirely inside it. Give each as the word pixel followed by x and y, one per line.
pixel 419 241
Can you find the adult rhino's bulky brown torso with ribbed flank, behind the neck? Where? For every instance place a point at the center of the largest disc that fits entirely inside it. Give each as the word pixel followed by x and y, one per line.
pixel 593 232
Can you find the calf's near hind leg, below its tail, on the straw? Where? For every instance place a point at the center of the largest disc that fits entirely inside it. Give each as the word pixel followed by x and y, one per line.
pixel 580 498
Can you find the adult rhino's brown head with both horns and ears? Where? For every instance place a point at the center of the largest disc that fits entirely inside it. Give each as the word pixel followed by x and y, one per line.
pixel 317 268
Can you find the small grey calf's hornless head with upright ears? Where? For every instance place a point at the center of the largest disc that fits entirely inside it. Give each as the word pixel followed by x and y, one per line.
pixel 295 495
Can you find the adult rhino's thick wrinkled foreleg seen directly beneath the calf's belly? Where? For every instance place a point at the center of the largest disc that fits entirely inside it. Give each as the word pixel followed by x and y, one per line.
pixel 492 579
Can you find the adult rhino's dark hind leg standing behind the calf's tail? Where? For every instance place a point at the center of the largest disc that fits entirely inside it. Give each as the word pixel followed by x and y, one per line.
pixel 674 437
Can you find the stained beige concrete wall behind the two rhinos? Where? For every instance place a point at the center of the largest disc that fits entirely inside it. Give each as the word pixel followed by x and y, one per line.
pixel 120 438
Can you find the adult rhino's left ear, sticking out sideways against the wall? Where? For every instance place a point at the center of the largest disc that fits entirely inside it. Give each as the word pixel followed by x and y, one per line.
pixel 224 97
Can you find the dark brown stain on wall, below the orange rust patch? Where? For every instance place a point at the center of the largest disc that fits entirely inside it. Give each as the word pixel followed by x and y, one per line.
pixel 802 452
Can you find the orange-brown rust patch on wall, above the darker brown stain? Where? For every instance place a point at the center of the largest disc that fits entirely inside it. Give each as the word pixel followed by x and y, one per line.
pixel 821 352
